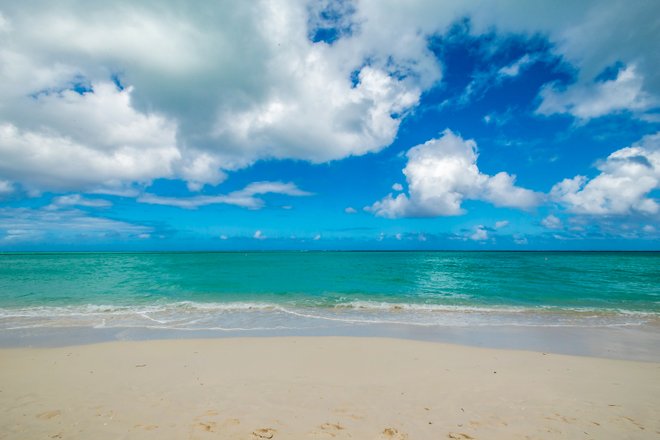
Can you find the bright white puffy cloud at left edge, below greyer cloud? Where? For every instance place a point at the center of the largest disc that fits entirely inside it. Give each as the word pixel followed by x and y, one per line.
pixel 84 141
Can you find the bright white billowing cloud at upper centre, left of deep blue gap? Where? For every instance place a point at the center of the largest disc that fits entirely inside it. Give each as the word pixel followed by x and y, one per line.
pixel 347 121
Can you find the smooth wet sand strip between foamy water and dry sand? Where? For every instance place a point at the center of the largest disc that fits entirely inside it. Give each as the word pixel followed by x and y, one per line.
pixel 634 343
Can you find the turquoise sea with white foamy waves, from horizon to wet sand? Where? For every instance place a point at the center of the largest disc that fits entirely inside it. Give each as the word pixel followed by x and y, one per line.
pixel 311 289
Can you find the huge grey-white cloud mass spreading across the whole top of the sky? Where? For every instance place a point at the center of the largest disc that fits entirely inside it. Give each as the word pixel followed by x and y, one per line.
pixel 98 95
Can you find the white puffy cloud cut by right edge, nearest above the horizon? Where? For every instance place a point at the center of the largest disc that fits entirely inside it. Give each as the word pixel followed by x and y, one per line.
pixel 626 179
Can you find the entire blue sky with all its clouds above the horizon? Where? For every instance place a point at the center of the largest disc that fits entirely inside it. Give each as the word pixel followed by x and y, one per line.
pixel 292 124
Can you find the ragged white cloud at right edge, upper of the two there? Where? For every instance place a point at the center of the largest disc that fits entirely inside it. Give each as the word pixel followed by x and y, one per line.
pixel 625 92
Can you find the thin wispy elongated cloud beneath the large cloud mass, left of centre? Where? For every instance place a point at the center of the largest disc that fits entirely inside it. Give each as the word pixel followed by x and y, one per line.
pixel 244 198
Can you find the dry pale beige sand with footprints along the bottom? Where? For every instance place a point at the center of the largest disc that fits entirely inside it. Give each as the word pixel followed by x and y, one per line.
pixel 321 388
